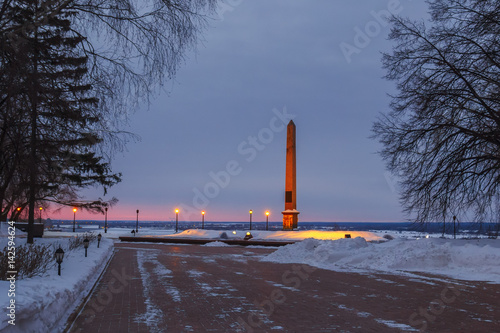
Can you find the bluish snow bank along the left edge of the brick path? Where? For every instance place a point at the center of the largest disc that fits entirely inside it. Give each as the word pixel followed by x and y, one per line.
pixel 43 304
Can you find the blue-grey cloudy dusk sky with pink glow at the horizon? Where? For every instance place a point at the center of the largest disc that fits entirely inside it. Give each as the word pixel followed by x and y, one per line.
pixel 214 138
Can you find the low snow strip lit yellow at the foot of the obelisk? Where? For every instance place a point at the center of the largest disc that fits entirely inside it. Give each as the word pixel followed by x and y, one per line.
pixel 276 235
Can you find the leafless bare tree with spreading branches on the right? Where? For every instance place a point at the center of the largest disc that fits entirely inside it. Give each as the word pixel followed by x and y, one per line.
pixel 442 136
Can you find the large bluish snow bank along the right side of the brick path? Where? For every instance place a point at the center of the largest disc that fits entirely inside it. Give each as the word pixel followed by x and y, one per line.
pixel 476 260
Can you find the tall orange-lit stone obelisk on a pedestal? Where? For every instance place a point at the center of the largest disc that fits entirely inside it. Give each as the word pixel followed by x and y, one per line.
pixel 290 214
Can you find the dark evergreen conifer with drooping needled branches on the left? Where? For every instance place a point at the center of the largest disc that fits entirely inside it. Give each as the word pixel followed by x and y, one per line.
pixel 62 138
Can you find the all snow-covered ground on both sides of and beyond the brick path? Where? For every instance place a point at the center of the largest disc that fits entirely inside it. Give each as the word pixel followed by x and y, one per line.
pixel 43 304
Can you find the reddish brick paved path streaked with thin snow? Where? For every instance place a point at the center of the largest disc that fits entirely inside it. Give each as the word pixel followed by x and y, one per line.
pixel 190 288
